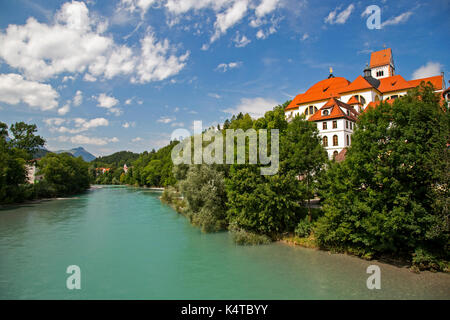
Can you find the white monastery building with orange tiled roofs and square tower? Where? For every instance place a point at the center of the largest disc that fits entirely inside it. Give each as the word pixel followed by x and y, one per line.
pixel 335 103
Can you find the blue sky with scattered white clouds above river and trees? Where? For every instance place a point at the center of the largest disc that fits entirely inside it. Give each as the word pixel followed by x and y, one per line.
pixel 124 74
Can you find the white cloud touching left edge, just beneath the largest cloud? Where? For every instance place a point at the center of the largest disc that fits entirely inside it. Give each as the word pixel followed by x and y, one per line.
pixel 14 89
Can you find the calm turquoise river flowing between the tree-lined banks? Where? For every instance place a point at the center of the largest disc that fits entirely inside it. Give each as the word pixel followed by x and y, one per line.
pixel 130 246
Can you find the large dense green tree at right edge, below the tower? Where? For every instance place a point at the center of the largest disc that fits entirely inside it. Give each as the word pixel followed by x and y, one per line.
pixel 386 196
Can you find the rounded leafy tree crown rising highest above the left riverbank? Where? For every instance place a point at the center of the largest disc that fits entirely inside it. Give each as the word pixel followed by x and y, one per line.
pixel 24 137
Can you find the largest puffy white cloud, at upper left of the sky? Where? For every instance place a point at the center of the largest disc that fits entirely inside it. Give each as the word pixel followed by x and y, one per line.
pixel 75 43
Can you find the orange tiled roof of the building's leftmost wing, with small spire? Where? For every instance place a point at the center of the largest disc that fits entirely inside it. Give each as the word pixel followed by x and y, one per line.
pixel 322 90
